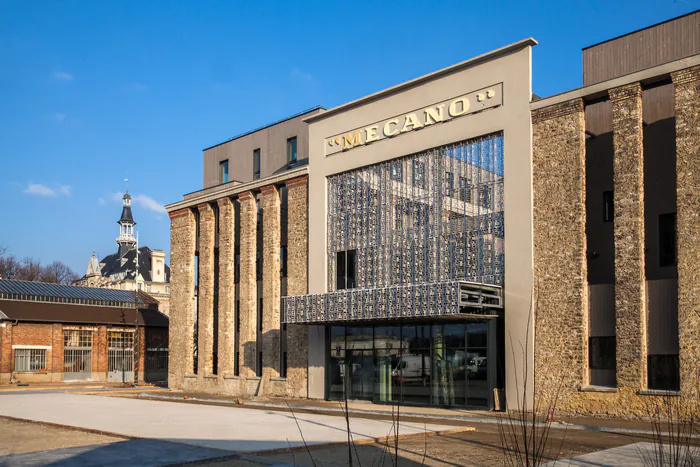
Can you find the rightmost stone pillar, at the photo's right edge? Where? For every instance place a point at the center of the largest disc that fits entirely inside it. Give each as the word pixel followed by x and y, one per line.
pixel 687 90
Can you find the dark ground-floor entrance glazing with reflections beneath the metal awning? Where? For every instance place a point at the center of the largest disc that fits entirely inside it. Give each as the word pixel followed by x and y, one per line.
pixel 418 364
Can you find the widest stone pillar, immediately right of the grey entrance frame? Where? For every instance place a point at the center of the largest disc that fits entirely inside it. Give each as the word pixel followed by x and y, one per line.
pixel 560 273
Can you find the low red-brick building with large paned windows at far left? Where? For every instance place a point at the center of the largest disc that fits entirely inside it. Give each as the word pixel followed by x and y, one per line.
pixel 61 333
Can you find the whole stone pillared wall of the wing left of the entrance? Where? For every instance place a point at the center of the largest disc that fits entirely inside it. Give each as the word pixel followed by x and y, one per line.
pixel 246 383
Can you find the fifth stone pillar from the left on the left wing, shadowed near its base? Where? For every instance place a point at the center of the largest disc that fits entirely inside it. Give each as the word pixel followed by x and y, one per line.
pixel 271 281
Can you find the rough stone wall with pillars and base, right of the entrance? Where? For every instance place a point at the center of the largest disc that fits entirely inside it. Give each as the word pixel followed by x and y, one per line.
pixel 561 307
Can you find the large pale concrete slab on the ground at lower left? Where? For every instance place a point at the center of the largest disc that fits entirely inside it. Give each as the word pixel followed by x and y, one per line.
pixel 225 428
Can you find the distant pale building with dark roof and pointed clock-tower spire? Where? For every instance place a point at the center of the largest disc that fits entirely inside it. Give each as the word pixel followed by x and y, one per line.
pixel 118 270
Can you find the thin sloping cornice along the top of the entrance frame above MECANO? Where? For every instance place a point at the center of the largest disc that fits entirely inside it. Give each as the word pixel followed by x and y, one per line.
pixel 529 42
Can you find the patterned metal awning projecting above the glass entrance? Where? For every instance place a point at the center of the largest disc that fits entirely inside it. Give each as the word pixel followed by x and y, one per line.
pixel 435 299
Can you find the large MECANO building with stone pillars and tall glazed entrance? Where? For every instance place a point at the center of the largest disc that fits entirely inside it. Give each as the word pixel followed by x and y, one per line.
pixel 446 239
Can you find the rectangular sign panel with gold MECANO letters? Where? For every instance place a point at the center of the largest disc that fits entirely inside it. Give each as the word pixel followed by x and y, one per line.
pixel 431 115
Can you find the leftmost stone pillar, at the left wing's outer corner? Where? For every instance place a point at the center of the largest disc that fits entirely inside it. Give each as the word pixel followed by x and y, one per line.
pixel 183 240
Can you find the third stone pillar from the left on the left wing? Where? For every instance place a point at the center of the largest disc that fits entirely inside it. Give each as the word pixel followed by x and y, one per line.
pixel 227 325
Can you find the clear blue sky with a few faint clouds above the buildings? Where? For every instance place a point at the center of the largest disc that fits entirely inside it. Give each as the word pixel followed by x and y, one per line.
pixel 94 92
